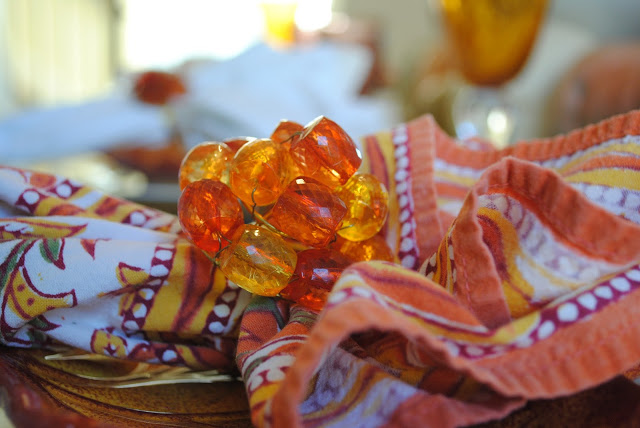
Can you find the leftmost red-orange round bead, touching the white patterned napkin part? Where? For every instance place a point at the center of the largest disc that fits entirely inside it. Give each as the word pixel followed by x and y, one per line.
pixel 209 214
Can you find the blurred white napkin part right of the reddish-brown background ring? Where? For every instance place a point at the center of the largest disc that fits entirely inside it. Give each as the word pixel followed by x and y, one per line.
pixel 251 93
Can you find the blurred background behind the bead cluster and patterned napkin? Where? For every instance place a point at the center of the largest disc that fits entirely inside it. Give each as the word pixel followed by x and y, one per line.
pixel 68 70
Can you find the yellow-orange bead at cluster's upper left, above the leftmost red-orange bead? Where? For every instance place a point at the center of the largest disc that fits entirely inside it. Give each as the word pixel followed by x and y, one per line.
pixel 206 160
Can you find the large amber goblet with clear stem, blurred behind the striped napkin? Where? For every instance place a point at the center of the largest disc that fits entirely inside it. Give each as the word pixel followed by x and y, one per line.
pixel 492 40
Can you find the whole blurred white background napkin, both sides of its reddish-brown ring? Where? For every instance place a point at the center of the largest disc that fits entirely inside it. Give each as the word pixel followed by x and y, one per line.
pixel 245 96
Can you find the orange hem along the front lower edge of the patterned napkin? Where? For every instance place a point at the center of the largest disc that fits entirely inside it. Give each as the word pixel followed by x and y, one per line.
pixel 509 374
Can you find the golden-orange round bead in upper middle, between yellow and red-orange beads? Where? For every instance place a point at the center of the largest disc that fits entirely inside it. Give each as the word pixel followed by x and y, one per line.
pixel 259 172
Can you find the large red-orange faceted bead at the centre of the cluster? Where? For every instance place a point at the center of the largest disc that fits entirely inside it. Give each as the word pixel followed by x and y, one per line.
pixel 308 212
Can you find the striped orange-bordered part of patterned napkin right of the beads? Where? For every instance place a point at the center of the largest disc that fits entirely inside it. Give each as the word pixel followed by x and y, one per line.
pixel 517 278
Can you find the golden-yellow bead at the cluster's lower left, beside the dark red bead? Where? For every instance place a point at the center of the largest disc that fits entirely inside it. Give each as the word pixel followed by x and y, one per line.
pixel 258 260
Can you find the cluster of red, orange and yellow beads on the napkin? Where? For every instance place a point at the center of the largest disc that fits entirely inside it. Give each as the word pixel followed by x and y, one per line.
pixel 284 215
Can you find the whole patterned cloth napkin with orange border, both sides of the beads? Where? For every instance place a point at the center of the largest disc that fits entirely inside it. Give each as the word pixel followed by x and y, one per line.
pixel 517 278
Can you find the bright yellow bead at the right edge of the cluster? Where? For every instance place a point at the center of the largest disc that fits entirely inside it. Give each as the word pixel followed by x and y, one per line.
pixel 367 201
